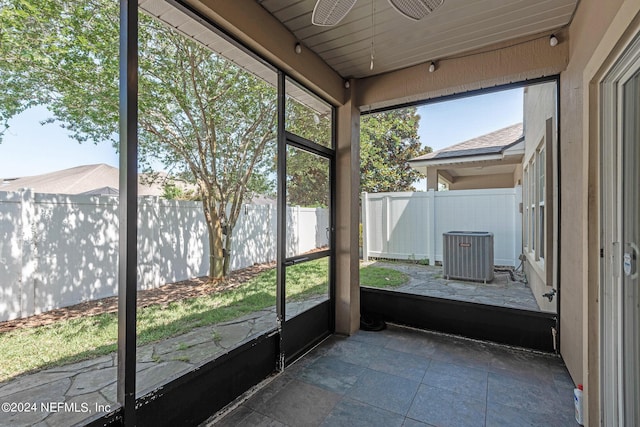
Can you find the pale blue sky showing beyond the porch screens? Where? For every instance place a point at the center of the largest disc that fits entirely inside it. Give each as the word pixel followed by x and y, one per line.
pixel 29 148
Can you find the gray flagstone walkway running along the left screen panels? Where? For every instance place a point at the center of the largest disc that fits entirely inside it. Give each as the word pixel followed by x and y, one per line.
pixel 80 390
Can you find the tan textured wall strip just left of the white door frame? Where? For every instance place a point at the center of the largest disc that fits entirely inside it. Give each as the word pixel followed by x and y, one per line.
pixel 592 20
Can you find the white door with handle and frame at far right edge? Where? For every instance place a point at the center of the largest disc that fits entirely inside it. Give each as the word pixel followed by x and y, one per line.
pixel 620 201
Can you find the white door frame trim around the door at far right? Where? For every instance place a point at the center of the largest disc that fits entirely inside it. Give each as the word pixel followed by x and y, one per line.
pixel 611 210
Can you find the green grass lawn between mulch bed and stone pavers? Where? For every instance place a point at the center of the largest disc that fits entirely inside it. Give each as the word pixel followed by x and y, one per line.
pixel 68 341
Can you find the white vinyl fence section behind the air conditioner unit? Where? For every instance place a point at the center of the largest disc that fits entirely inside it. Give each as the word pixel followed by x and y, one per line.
pixel 410 225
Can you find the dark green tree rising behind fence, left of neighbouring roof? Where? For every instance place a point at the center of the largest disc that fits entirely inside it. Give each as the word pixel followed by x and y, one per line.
pixel 387 141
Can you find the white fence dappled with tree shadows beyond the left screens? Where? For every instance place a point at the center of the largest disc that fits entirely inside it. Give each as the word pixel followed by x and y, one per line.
pixel 59 250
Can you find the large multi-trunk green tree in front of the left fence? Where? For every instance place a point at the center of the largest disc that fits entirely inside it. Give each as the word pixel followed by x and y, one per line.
pixel 207 120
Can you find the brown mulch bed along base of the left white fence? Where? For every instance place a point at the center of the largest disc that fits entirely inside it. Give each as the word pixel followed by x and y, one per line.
pixel 192 288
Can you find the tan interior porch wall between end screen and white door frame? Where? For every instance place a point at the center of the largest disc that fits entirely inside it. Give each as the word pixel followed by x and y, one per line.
pixel 597 35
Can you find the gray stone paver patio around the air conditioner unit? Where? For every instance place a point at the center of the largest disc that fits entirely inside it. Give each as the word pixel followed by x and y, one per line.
pixel 428 280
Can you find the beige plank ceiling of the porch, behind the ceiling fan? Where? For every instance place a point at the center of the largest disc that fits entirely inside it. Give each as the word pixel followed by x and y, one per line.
pixel 458 26
